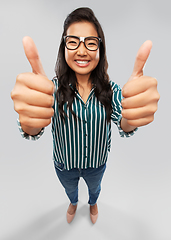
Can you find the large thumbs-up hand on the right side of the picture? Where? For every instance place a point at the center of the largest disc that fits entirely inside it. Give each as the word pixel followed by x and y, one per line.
pixel 140 92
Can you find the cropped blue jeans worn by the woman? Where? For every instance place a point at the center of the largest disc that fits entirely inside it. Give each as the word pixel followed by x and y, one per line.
pixel 69 180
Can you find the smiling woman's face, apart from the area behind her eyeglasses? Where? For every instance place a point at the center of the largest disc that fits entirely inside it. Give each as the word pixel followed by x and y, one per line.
pixel 81 60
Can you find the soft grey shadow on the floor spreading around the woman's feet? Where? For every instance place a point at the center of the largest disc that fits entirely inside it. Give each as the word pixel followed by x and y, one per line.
pixel 111 224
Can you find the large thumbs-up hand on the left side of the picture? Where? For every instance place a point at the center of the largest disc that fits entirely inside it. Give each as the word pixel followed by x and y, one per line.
pixel 33 93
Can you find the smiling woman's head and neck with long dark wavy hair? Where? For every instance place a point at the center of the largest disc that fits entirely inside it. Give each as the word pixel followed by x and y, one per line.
pixel 88 66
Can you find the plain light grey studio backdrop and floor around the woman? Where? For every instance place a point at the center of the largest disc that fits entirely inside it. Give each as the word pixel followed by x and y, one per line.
pixel 136 195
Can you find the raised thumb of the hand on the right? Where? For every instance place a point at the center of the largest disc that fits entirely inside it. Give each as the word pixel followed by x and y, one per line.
pixel 141 58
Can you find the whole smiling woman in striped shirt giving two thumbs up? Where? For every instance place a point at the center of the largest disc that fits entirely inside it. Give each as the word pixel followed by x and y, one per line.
pixel 83 105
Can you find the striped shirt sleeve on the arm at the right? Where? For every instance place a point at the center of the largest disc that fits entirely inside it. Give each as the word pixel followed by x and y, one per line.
pixel 116 115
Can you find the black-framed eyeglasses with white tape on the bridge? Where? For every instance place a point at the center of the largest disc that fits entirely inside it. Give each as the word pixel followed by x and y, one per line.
pixel 73 42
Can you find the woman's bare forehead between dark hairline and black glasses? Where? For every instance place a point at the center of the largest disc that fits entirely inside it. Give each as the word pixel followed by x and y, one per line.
pixel 82 29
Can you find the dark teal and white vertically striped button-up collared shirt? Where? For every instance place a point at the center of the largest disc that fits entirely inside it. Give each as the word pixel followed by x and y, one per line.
pixel 84 142
